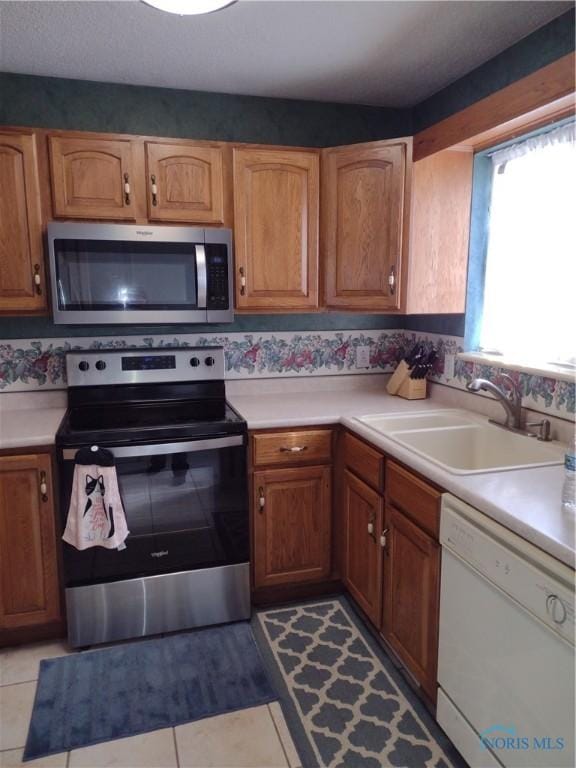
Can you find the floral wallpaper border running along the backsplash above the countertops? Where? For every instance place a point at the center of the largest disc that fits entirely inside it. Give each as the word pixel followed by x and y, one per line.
pixel 28 365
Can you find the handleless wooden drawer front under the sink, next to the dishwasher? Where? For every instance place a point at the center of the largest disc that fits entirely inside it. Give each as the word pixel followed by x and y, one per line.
pixel 413 496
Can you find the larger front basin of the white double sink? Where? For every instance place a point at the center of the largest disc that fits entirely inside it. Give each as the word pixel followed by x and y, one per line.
pixel 471 449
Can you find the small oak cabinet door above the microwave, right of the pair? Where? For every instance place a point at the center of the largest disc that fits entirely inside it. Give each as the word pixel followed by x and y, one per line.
pixel 185 183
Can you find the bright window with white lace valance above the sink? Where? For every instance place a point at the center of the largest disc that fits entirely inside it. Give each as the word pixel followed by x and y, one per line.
pixel 529 306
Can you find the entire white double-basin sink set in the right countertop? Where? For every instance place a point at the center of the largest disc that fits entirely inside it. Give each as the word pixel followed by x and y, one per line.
pixel 463 443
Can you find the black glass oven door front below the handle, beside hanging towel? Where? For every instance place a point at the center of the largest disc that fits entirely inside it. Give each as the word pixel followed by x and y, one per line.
pixel 184 511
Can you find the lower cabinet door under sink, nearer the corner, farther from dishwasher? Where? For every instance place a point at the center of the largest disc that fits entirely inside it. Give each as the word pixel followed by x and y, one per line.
pixel 362 550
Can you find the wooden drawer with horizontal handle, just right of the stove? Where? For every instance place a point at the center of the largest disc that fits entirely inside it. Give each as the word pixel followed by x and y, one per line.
pixel 302 446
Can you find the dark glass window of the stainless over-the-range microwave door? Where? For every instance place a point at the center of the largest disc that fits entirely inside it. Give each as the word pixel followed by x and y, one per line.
pixel 111 275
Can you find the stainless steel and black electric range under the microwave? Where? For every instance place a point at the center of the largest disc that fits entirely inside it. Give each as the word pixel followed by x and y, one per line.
pixel 180 452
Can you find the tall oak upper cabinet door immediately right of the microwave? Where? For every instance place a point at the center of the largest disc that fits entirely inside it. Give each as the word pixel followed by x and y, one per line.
pixel 276 215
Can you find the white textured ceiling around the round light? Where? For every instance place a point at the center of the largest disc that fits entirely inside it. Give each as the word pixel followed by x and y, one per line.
pixel 382 53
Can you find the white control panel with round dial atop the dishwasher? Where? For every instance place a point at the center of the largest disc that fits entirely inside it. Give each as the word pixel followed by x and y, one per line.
pixel 527 575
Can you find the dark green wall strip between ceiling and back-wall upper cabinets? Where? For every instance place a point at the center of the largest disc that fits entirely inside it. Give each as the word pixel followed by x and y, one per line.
pixel 89 106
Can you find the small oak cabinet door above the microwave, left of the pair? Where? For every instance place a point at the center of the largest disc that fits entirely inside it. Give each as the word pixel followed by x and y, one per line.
pixel 93 178
